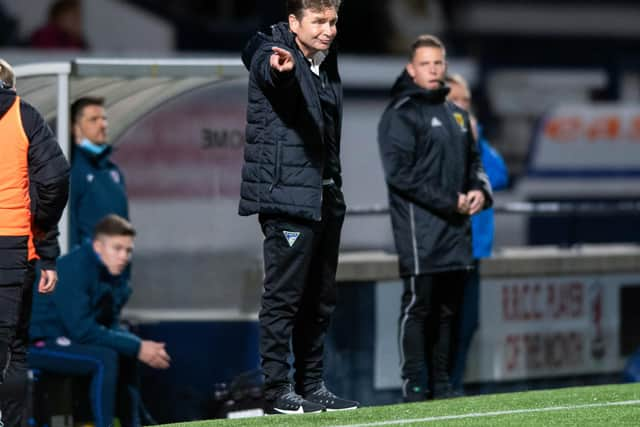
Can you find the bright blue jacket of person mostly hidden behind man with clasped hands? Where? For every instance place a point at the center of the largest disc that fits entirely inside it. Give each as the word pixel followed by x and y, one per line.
pixel 482 223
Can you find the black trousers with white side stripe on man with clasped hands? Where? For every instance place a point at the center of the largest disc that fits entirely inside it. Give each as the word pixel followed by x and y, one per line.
pixel 427 329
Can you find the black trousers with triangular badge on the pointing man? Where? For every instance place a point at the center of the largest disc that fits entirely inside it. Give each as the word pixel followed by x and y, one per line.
pixel 300 261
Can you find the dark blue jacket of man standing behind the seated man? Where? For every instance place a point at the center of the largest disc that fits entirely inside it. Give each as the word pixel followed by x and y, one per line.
pixel 97 189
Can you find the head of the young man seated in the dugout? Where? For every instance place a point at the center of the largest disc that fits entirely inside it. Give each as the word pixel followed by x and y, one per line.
pixel 113 242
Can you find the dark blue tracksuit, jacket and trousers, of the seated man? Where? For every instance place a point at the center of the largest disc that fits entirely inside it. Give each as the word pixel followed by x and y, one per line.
pixel 75 331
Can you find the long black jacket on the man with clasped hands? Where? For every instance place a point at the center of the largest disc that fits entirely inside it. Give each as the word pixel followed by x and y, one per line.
pixel 429 157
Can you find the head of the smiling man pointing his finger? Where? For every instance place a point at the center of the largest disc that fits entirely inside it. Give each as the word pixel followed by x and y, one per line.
pixel 314 23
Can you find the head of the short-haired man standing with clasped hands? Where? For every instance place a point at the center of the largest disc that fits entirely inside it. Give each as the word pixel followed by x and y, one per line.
pixel 427 64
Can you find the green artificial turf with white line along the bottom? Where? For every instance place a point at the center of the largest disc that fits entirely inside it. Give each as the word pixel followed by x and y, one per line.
pixel 616 405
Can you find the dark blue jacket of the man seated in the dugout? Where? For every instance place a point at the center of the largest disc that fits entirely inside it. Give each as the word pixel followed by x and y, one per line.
pixel 85 306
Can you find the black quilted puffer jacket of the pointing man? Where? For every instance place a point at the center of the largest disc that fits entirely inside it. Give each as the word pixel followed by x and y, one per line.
pixel 284 152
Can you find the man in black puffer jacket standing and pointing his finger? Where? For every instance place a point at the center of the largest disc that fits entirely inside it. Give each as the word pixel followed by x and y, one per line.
pixel 291 178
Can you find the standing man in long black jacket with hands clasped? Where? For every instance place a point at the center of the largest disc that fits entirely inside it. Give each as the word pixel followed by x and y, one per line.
pixel 435 182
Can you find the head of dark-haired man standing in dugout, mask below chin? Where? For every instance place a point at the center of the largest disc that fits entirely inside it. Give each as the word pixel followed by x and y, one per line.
pixel 89 120
